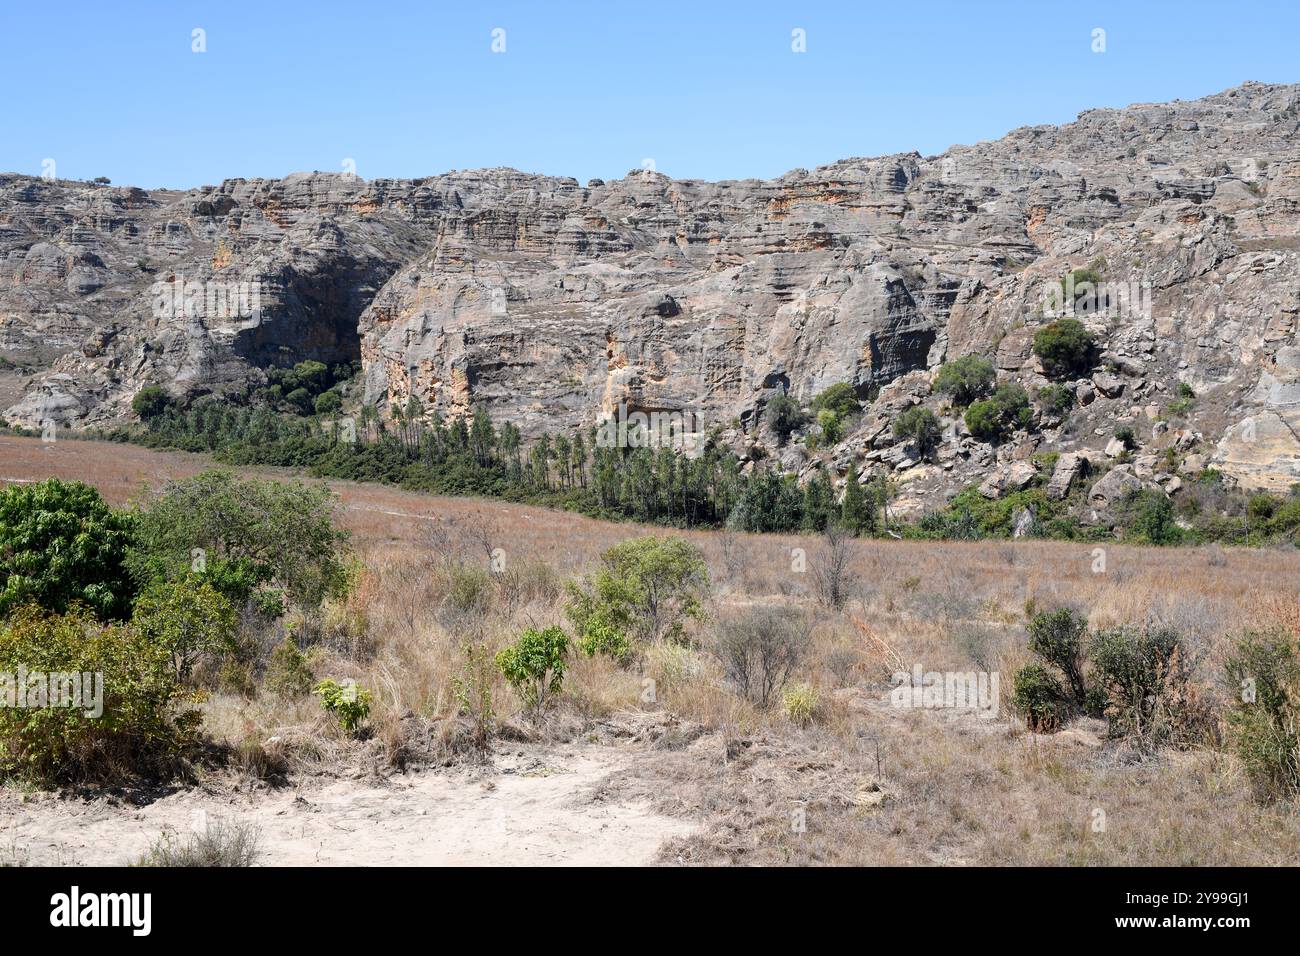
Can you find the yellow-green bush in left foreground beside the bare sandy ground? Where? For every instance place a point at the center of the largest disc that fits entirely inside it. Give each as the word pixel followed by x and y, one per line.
pixel 140 733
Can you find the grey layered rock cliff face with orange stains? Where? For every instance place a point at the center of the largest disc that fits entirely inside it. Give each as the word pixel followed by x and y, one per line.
pixel 553 304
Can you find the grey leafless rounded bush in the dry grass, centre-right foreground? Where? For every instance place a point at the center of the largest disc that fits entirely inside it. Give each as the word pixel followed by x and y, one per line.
pixel 760 650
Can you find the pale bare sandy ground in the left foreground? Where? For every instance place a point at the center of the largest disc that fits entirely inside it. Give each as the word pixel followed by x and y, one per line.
pixel 539 807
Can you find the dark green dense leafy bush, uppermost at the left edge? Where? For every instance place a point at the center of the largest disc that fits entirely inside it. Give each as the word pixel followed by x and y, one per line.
pixel 62 544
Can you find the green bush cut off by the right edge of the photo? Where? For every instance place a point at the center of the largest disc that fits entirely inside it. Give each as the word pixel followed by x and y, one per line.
pixel 1264 721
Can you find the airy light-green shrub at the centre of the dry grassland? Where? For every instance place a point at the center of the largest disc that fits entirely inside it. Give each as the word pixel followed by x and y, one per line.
pixel 647 590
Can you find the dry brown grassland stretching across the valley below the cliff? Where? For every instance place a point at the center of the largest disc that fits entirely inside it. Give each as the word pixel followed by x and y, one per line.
pixel 863 782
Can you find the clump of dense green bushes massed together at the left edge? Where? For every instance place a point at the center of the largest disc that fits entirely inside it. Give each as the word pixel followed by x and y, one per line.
pixel 157 605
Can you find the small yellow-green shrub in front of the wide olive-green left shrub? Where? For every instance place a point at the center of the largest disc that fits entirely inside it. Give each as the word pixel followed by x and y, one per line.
pixel 189 618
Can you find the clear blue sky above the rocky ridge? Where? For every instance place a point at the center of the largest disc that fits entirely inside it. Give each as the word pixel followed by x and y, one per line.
pixel 704 89
